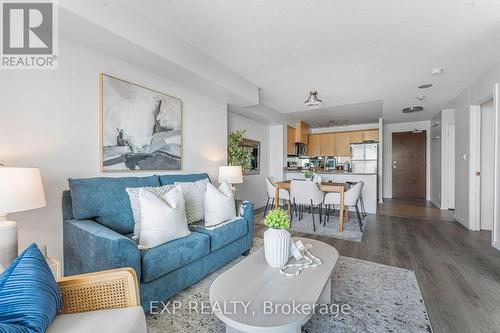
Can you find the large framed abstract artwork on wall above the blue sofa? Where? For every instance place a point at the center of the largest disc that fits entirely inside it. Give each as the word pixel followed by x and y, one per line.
pixel 141 129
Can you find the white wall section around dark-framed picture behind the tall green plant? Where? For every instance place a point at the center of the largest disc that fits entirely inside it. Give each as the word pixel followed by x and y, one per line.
pixel 254 187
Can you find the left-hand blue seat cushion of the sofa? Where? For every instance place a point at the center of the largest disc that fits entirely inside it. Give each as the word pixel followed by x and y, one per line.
pixel 167 257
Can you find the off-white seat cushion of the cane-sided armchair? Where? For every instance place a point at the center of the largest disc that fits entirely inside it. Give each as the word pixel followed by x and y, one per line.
pixel 124 320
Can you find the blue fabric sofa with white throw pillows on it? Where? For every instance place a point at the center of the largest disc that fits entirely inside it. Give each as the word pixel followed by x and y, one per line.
pixel 98 226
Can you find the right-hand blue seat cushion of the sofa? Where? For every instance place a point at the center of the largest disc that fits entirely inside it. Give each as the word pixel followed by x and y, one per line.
pixel 224 233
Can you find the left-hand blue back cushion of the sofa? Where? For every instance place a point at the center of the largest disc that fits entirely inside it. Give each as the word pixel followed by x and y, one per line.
pixel 106 200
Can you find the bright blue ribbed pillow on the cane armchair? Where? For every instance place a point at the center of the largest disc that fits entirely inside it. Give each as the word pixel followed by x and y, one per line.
pixel 29 296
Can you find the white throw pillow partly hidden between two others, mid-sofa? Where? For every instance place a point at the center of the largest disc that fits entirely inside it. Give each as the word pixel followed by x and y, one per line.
pixel 194 196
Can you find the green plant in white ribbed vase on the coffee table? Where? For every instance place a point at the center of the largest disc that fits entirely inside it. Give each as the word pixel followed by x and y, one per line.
pixel 276 238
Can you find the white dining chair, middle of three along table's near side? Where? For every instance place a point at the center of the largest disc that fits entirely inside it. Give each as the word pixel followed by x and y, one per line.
pixel 306 194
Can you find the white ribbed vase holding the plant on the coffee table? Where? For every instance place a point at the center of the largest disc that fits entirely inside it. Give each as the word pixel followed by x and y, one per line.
pixel 277 247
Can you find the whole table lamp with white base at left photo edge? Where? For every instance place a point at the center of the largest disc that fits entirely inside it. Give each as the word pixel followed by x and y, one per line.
pixel 20 189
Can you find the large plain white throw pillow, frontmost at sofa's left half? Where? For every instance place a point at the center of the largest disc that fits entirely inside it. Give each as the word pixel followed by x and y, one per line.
pixel 162 218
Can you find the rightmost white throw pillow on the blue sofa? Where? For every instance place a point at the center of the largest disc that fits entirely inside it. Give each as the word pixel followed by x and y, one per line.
pixel 219 204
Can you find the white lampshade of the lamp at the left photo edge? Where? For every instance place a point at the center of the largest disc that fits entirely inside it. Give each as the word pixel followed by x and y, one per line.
pixel 20 189
